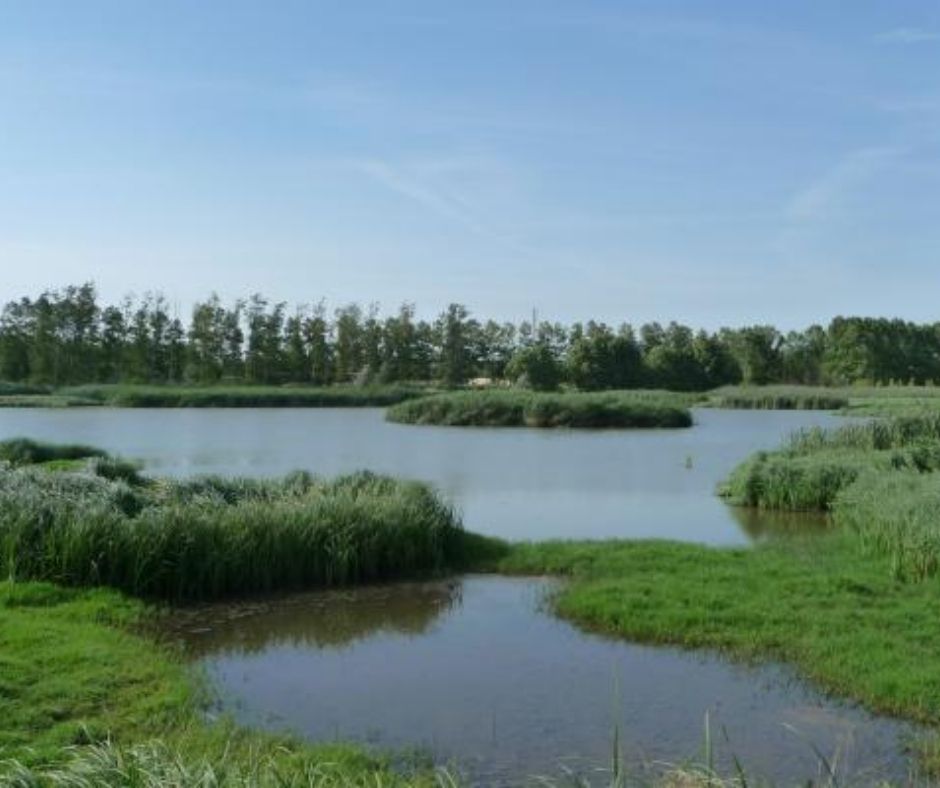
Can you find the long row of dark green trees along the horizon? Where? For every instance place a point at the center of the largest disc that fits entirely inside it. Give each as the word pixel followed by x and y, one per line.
pixel 67 337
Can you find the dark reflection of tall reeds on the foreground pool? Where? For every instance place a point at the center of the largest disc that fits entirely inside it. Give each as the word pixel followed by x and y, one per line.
pixel 322 619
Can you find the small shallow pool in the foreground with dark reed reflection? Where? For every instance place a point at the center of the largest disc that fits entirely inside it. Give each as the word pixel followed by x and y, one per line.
pixel 477 673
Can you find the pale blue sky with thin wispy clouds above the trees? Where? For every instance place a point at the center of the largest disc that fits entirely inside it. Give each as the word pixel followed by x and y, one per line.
pixel 718 163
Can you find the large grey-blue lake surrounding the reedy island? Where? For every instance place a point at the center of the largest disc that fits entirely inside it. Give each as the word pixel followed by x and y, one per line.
pixel 519 484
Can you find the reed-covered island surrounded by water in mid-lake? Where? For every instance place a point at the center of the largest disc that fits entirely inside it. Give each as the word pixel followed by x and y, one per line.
pixel 530 409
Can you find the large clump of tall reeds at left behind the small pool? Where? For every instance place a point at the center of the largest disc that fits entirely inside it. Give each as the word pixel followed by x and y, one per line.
pixel 210 538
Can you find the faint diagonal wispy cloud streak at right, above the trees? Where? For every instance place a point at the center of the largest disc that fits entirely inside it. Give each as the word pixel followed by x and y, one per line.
pixel 833 188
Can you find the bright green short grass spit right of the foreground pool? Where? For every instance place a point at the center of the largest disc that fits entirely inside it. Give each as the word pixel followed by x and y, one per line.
pixel 823 605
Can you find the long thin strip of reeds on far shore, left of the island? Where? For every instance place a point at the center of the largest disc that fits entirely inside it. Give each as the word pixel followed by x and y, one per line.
pixel 224 396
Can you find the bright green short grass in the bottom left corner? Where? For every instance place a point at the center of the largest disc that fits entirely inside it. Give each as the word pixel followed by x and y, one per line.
pixel 79 691
